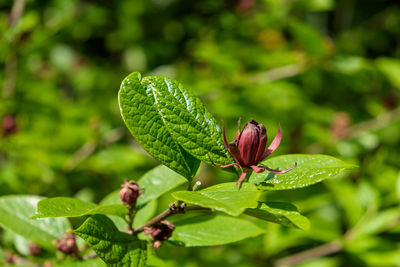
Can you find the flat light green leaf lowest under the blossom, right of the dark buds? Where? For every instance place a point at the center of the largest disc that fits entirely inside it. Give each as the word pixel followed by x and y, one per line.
pixel 212 230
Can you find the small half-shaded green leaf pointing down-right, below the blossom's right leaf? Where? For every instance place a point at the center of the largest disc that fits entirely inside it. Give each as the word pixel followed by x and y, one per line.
pixel 281 213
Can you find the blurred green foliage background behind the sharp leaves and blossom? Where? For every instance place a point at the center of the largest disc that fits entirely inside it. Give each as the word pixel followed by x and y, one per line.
pixel 328 71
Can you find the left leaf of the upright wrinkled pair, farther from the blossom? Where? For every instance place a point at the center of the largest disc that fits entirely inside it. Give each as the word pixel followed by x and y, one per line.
pixel 143 119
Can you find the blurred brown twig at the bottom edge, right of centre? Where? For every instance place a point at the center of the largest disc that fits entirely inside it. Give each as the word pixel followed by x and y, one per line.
pixel 316 252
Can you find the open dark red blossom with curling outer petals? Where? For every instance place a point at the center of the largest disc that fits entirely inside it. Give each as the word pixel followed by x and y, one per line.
pixel 248 149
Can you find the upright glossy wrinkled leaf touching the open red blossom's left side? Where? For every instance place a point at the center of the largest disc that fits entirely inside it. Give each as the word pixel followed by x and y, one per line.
pixel 187 120
